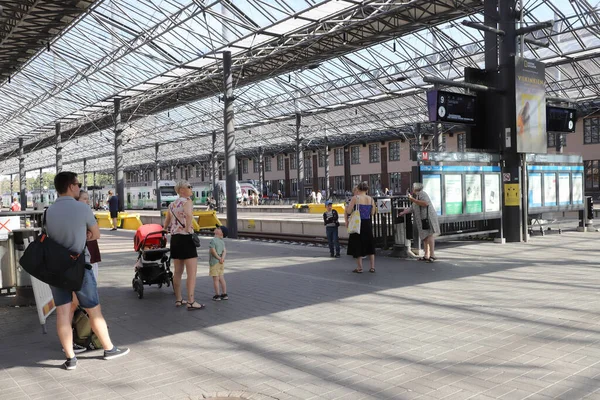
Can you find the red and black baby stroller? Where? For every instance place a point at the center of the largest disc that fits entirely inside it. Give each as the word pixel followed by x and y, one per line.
pixel 153 263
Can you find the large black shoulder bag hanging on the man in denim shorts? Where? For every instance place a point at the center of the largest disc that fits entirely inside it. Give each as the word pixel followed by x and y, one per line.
pixel 52 263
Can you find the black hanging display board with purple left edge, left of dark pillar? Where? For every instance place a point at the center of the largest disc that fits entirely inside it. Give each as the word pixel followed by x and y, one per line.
pixel 447 106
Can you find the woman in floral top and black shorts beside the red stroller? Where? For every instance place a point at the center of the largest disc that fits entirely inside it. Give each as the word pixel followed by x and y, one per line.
pixel 178 223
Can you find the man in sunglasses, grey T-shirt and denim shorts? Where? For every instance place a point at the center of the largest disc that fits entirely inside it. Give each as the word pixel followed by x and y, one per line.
pixel 70 223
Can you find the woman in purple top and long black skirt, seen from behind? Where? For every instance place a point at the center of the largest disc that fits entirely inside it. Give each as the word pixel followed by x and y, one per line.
pixel 362 244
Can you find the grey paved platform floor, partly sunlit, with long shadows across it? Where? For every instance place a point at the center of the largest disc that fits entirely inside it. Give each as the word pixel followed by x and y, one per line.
pixel 487 321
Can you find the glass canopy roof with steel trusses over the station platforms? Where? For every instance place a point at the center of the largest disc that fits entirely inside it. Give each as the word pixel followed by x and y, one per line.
pixel 163 58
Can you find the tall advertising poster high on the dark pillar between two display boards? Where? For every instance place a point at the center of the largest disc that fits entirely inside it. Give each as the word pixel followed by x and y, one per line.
pixel 531 106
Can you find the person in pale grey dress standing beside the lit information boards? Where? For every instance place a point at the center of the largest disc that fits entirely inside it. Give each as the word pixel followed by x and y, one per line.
pixel 425 217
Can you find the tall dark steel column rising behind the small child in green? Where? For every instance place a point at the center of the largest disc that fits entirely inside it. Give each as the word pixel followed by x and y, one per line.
pixel 230 164
